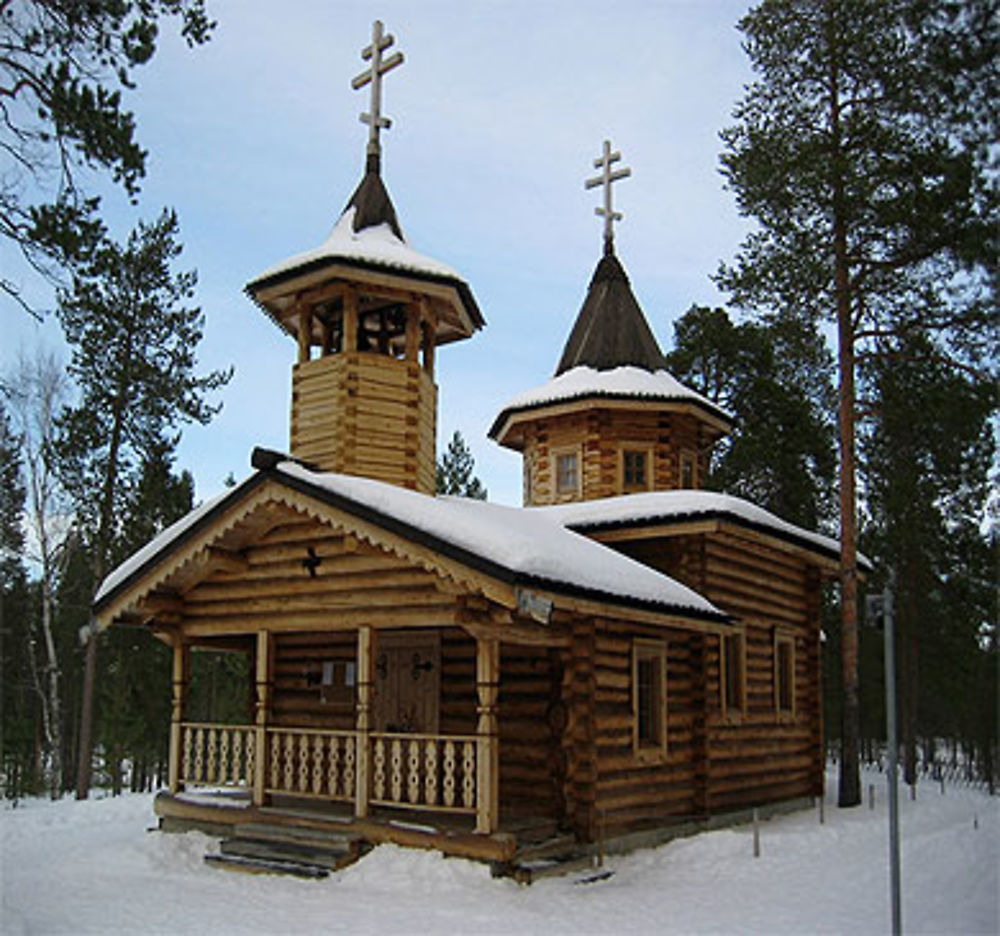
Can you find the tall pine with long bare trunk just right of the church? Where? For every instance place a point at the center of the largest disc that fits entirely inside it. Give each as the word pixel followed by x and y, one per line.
pixel 863 150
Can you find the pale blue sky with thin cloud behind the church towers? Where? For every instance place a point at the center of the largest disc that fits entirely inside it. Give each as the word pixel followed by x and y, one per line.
pixel 498 113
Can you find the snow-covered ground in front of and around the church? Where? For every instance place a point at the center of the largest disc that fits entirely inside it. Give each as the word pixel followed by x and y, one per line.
pixel 94 867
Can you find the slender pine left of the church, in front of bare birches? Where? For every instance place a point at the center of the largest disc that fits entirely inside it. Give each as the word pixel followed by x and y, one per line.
pixel 133 343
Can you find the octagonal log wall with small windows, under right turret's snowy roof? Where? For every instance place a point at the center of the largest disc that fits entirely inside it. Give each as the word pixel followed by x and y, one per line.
pixel 599 435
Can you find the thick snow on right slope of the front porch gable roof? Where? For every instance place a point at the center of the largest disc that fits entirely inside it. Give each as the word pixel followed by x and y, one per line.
pixel 522 541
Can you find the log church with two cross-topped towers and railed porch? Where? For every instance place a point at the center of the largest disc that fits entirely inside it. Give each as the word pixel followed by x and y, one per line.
pixel 626 654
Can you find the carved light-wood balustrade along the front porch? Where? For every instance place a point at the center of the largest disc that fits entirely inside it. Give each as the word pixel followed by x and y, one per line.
pixel 414 771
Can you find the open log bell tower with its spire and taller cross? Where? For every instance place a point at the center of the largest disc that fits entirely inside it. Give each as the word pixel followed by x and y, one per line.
pixel 367 312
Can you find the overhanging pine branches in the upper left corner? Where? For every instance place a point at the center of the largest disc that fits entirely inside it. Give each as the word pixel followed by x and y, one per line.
pixel 63 67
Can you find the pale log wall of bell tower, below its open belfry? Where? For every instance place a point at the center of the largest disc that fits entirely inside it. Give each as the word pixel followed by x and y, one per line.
pixel 366 414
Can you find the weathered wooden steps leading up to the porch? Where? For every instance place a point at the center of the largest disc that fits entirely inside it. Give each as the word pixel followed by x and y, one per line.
pixel 260 848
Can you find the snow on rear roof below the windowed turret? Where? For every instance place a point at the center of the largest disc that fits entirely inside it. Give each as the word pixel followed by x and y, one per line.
pixel 677 505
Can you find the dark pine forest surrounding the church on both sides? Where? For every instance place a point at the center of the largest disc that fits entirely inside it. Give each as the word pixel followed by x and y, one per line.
pixel 886 206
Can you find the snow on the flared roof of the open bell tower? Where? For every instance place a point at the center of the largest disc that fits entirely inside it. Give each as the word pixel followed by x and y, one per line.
pixel 376 245
